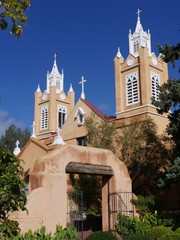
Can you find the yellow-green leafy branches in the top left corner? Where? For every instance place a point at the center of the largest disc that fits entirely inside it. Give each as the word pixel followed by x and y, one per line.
pixel 12 12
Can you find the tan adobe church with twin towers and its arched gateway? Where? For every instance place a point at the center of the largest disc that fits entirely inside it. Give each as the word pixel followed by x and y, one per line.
pixel 58 129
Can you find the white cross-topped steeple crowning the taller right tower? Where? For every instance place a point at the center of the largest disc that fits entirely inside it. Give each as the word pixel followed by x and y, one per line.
pixel 139 38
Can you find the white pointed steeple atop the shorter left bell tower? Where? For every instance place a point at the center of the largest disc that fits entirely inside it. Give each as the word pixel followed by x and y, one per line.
pixel 54 78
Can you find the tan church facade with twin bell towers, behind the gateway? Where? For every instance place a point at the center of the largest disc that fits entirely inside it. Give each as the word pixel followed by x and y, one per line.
pixel 136 81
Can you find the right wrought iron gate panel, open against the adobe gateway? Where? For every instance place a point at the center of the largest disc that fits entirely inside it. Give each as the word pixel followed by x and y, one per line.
pixel 119 202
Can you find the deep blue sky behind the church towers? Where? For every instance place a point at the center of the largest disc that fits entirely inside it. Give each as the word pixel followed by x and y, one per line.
pixel 85 34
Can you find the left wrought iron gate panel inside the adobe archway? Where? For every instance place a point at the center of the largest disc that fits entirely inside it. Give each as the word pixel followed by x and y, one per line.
pixel 75 214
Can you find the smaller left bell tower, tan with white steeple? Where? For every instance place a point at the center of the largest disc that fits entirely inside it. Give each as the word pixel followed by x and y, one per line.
pixel 52 106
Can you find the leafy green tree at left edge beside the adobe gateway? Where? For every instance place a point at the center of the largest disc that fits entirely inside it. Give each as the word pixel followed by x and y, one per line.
pixel 12 196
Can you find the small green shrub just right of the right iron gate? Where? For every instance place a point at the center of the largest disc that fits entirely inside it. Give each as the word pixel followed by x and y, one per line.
pixel 144 204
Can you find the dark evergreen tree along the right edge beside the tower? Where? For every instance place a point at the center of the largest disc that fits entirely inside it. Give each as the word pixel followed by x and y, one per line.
pixel 169 102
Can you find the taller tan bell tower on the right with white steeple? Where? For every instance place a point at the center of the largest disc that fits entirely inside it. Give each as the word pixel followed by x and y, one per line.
pixel 137 78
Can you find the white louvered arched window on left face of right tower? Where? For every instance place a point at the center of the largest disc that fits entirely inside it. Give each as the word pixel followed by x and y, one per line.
pixel 132 88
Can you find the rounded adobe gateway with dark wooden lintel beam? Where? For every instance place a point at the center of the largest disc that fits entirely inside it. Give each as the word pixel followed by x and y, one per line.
pixel 47 200
